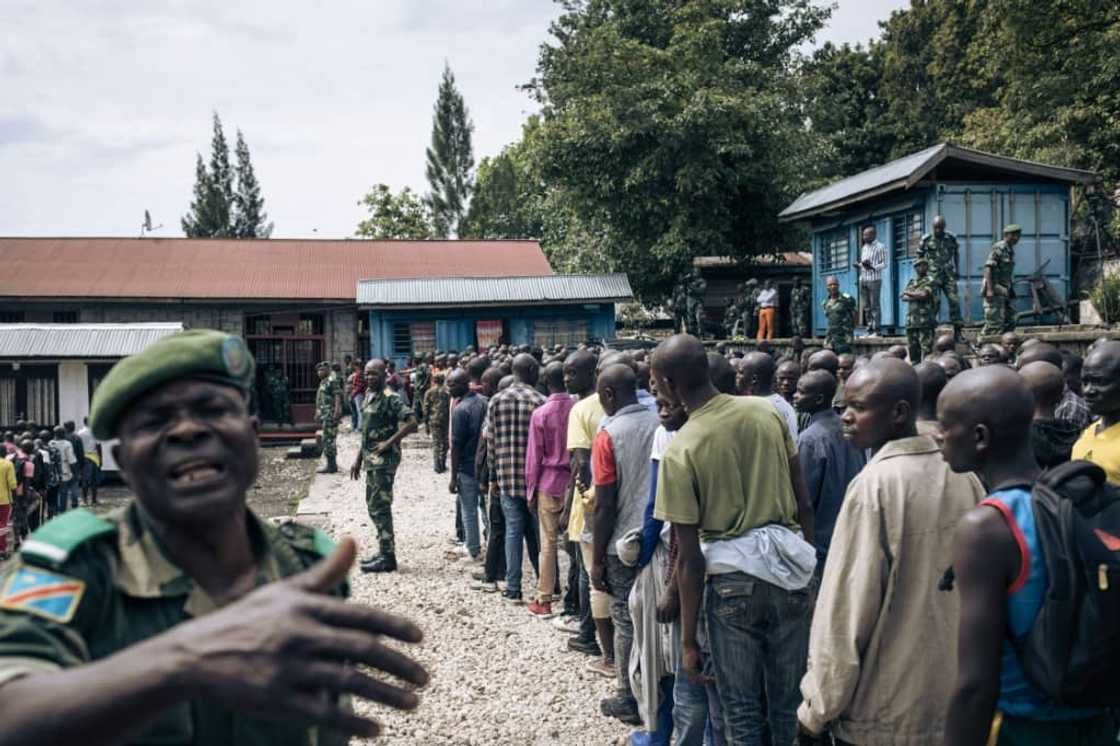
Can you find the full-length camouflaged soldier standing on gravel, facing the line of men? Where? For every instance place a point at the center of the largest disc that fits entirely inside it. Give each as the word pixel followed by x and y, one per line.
pixel 386 422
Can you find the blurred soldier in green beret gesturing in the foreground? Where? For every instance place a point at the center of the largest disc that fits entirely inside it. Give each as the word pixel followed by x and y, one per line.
pixel 184 619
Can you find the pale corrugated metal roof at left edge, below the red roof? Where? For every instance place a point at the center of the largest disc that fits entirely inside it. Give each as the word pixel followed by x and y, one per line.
pixel 20 341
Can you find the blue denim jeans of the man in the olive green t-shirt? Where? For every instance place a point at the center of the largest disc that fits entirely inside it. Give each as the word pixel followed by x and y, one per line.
pixel 759 636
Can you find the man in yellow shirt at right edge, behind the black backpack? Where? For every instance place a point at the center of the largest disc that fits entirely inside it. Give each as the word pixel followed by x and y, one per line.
pixel 1100 380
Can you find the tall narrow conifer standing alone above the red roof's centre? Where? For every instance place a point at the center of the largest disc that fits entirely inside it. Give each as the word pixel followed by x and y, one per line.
pixel 451 158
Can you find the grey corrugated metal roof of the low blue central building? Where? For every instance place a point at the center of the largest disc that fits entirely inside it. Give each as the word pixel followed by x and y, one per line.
pixel 492 292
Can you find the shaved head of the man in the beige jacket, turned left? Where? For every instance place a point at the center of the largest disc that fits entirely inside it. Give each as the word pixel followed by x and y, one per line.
pixel 882 403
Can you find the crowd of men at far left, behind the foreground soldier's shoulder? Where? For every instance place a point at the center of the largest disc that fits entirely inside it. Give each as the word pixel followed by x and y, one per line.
pixel 44 472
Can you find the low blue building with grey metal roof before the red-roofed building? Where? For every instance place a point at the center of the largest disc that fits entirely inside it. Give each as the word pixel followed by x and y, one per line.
pixel 423 315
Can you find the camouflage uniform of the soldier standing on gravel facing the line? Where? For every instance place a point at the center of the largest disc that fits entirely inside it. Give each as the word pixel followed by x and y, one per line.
pixel 382 416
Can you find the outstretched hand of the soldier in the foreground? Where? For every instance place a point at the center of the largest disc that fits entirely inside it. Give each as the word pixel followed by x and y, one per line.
pixel 288 651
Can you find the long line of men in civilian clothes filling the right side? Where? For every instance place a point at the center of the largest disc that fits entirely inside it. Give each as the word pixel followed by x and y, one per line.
pixel 757 544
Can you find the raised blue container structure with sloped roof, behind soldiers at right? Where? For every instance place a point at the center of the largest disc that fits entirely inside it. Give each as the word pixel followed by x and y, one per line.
pixel 978 193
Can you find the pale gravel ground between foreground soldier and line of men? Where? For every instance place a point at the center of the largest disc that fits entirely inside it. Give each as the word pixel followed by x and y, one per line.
pixel 499 676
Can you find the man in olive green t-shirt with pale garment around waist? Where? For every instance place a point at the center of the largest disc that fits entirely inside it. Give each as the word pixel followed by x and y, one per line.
pixel 732 470
